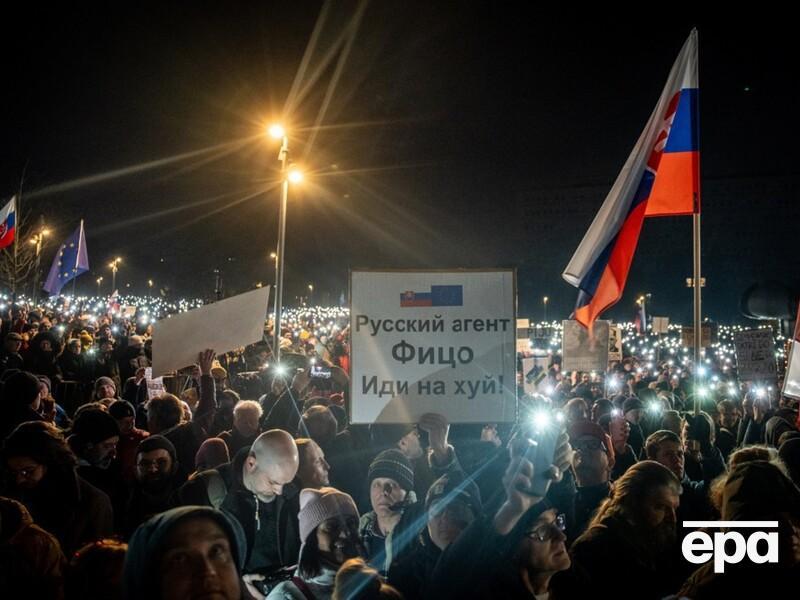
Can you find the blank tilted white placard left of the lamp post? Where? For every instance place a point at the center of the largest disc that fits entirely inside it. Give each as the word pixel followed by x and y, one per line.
pixel 223 326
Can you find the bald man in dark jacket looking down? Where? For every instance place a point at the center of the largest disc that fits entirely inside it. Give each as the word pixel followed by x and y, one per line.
pixel 263 500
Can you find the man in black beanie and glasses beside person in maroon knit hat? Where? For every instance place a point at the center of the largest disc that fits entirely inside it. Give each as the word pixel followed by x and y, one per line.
pixel 156 482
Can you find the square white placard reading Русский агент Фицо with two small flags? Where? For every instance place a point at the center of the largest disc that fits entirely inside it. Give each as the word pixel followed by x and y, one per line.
pixel 433 341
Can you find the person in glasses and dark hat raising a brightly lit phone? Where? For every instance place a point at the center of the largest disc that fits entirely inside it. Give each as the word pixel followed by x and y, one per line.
pixel 514 553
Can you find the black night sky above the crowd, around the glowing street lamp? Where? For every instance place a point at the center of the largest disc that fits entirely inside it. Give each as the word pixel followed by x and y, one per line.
pixel 463 134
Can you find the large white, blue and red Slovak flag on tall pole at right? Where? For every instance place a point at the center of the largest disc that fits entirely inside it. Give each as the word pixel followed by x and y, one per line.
pixel 660 178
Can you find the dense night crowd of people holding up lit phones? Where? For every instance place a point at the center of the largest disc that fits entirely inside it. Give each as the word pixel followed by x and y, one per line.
pixel 246 480
